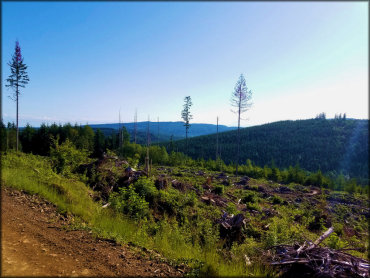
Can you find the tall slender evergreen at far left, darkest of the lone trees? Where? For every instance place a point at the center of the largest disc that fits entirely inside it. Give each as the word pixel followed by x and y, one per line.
pixel 17 79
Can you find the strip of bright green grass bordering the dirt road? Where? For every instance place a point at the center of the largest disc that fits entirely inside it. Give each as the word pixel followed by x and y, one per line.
pixel 34 174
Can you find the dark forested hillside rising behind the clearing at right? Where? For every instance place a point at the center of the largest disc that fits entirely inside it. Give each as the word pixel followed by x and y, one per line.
pixel 329 145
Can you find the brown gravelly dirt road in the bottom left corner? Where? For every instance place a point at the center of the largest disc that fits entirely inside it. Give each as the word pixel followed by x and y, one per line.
pixel 34 243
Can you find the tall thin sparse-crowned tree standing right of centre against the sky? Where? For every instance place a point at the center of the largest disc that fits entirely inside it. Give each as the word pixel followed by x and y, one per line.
pixel 241 100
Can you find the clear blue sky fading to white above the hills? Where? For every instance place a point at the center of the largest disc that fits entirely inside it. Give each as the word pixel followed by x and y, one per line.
pixel 87 60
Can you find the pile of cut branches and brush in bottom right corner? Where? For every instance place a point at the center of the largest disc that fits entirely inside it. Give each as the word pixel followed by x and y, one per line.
pixel 310 260
